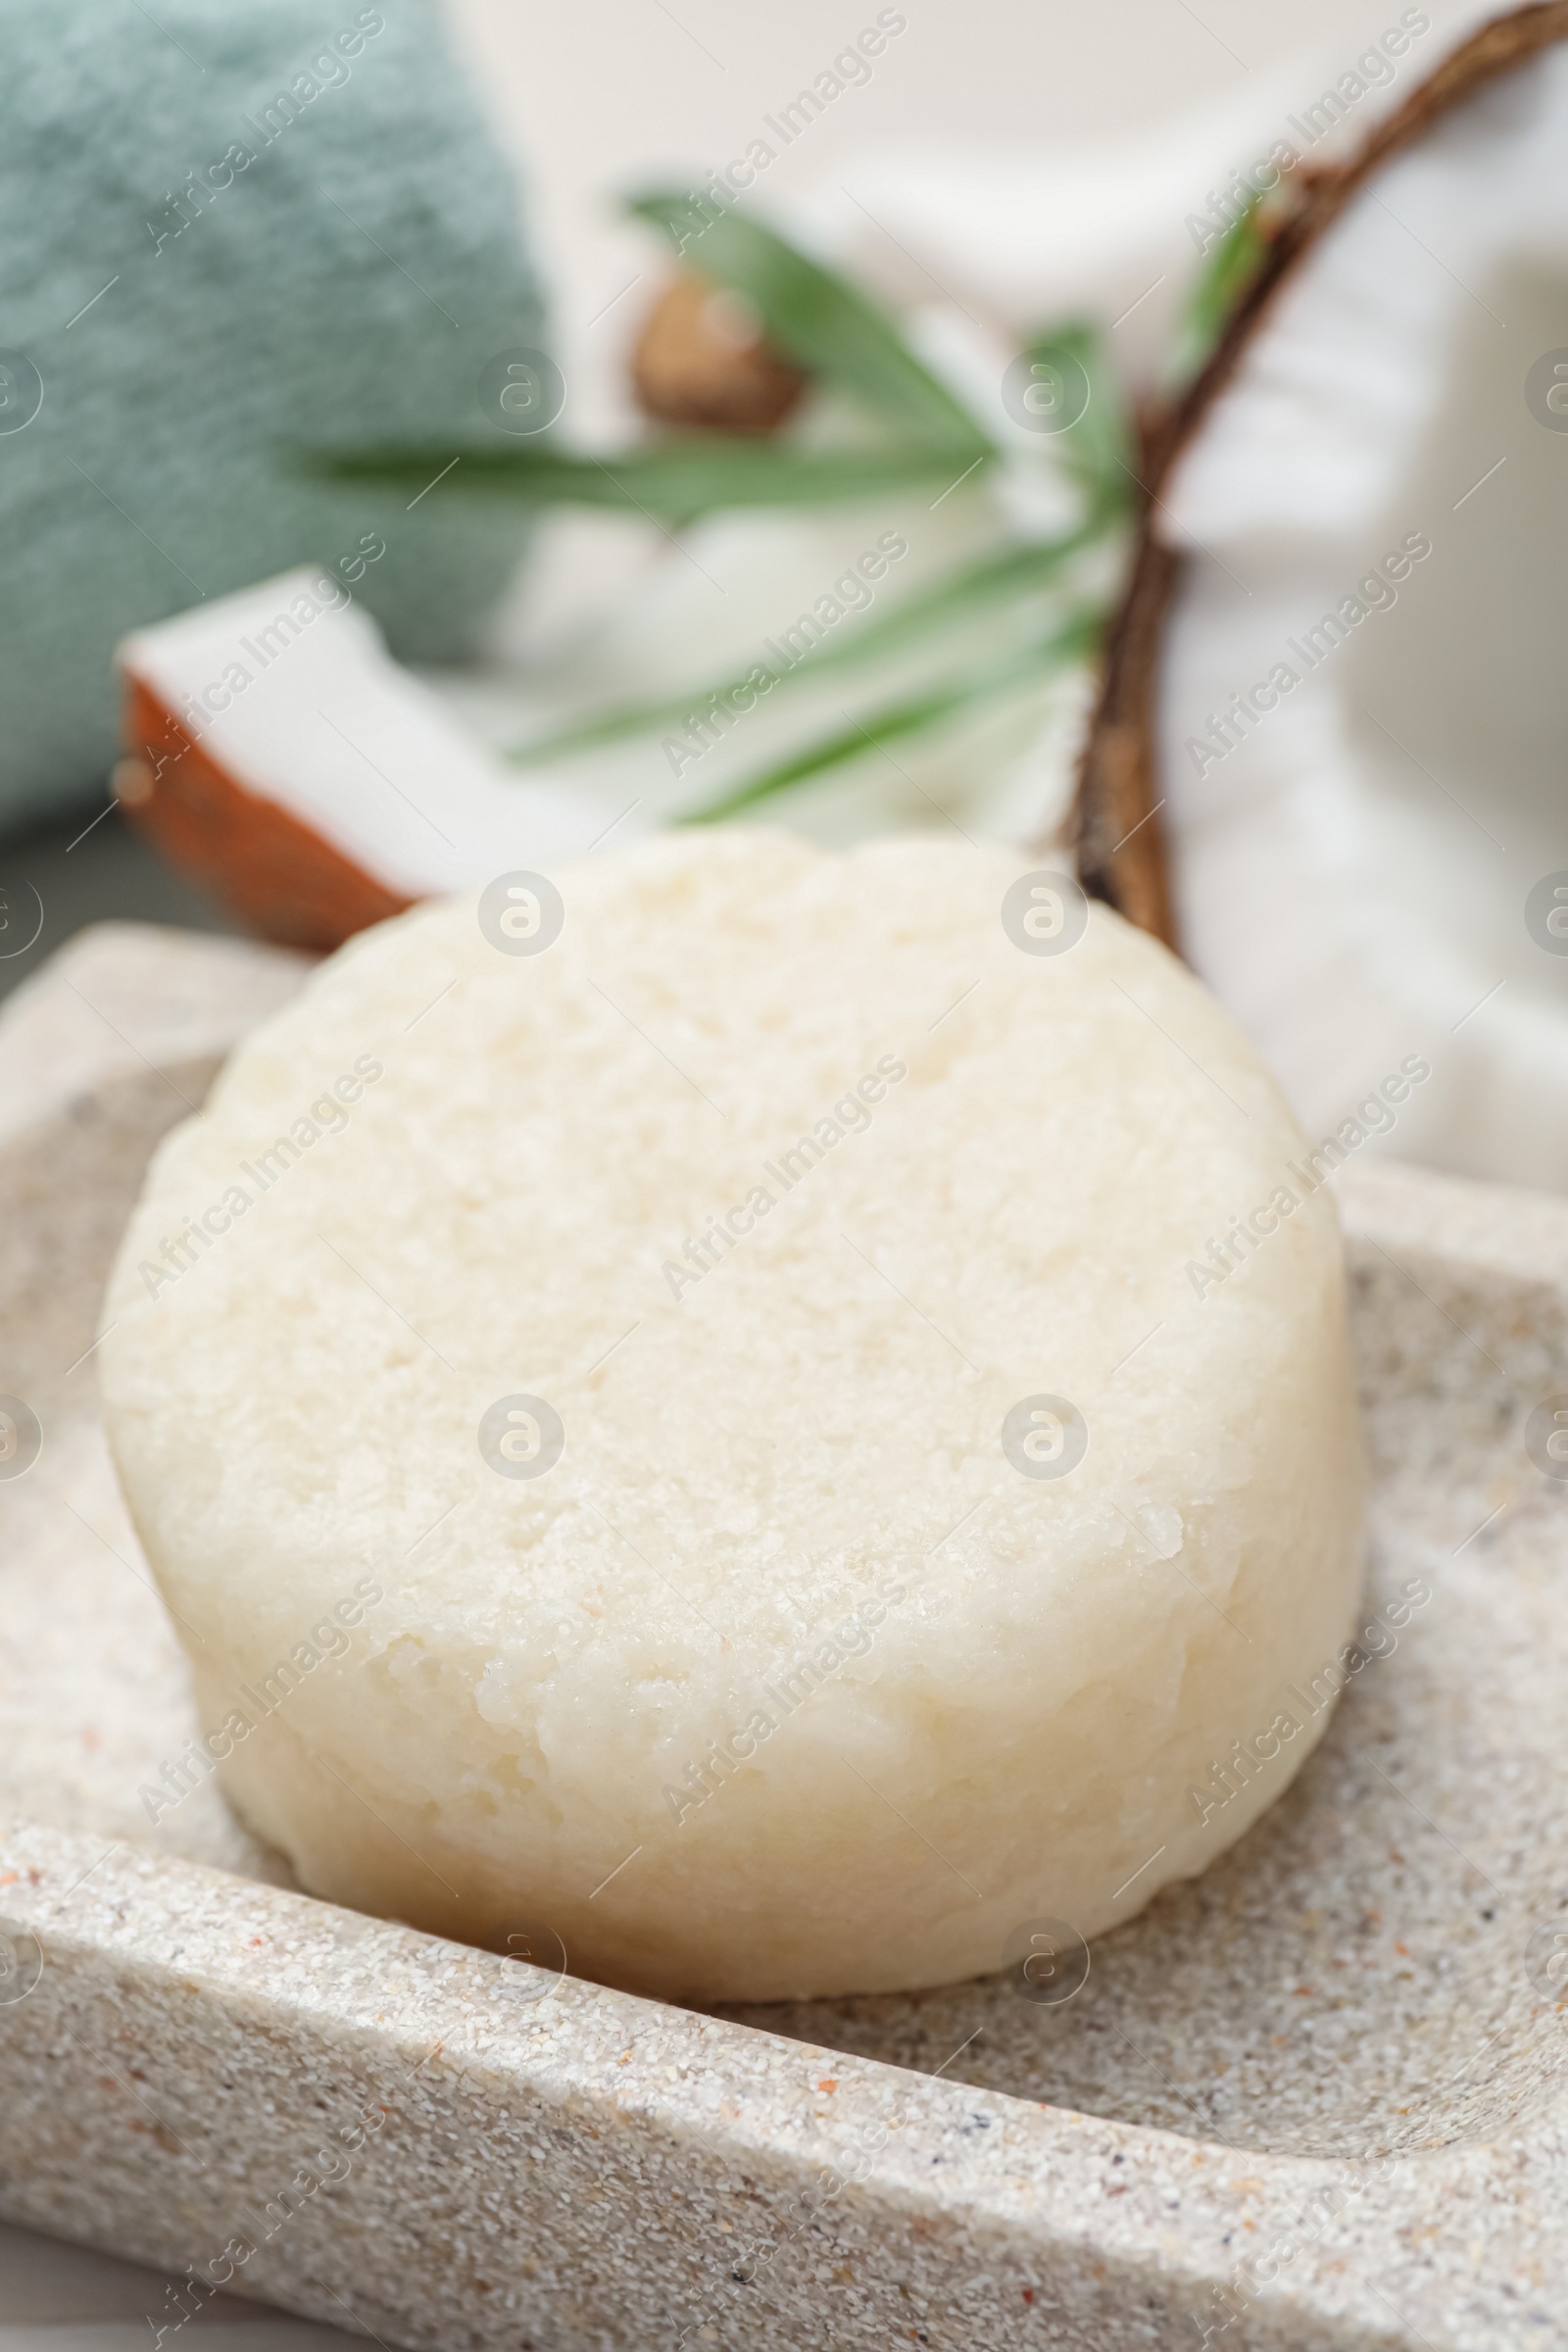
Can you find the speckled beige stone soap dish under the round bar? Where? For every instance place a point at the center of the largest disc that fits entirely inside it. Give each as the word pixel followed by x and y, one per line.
pixel 1315 2099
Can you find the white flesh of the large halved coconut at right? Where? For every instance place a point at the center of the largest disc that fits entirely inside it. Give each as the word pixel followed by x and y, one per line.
pixel 1353 869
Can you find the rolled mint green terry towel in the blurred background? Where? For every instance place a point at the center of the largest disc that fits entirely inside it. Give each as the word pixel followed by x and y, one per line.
pixel 232 227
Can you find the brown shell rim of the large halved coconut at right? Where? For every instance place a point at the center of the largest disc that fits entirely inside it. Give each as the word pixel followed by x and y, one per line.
pixel 1115 817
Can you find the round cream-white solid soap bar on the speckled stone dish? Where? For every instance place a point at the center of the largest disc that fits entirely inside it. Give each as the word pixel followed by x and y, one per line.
pixel 758 1419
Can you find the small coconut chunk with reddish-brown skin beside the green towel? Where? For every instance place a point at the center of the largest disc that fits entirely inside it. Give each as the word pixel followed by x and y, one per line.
pixel 283 761
